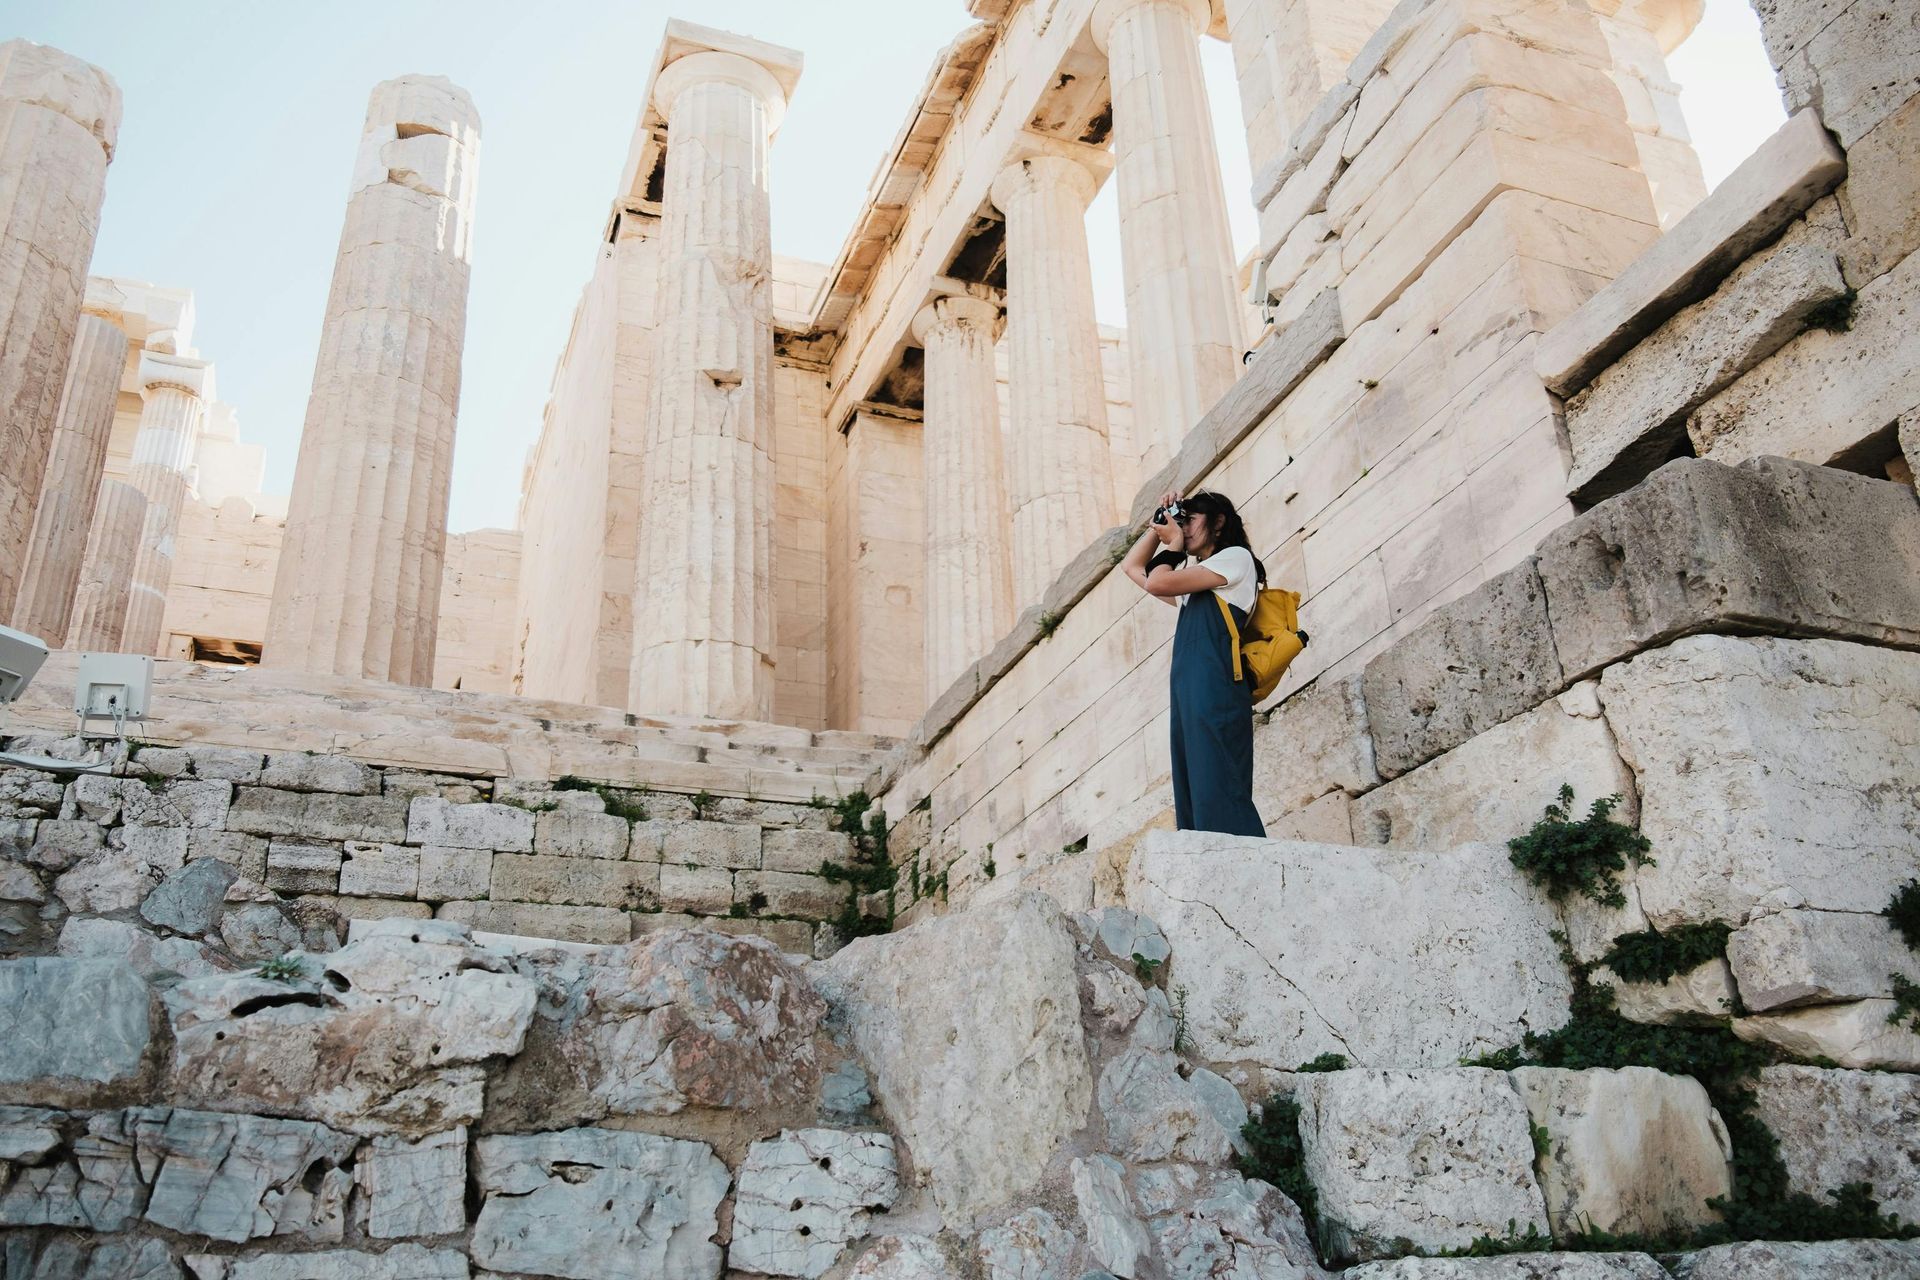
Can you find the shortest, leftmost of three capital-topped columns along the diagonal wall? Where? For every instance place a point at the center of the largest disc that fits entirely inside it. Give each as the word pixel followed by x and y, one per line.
pixel 969 590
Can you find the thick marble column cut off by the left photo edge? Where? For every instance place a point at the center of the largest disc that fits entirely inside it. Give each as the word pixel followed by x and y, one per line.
pixel 59 122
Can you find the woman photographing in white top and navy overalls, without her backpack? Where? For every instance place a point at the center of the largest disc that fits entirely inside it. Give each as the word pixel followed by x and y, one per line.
pixel 1212 715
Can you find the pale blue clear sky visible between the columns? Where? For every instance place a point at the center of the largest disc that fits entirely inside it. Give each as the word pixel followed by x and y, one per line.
pixel 243 120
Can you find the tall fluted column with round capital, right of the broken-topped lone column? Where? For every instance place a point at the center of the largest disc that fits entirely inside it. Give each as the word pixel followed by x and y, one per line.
pixel 704 592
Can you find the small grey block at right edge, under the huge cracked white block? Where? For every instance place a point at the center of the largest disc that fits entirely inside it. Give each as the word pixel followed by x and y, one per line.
pixel 1794 959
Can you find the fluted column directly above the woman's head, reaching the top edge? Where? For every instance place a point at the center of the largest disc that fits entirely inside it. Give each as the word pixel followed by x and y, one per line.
pixel 1184 320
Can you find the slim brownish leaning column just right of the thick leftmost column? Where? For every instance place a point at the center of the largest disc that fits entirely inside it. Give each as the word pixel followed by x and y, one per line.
pixel 72 483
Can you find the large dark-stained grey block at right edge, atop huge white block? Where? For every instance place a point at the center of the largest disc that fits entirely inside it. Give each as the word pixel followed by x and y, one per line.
pixel 1764 546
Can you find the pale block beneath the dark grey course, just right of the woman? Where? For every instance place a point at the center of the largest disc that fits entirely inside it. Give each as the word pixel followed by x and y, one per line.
pixel 1495 786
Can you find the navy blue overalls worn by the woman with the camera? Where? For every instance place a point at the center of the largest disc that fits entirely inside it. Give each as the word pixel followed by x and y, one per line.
pixel 1211 726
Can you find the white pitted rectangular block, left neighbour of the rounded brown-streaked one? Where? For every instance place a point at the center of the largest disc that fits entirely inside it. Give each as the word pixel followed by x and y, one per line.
pixel 1433 1158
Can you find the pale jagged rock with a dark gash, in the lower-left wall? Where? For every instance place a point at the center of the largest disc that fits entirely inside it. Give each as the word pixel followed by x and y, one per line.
pixel 383 1041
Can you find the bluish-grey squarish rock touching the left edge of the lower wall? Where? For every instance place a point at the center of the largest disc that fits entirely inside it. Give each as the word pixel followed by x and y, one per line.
pixel 80 1031
